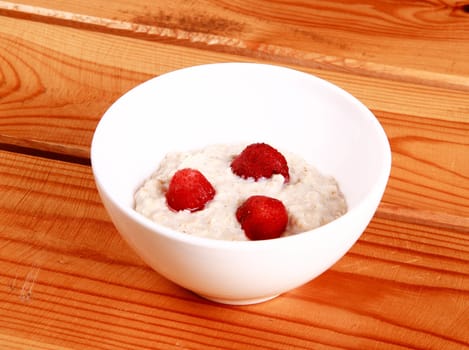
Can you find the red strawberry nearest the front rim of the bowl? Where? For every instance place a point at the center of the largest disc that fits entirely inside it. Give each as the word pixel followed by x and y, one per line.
pixel 262 217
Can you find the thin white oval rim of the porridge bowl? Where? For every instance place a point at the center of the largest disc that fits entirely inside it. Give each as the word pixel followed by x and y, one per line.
pixel 155 228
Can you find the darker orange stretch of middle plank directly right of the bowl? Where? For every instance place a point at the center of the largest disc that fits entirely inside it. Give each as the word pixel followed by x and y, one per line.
pixel 430 172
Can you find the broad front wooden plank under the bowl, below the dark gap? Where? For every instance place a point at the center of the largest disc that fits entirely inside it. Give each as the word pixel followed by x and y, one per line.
pixel 68 281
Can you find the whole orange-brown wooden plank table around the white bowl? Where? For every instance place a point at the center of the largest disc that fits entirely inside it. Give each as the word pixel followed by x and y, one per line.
pixel 68 281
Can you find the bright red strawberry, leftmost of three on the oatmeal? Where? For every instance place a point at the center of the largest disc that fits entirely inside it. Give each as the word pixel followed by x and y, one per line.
pixel 189 190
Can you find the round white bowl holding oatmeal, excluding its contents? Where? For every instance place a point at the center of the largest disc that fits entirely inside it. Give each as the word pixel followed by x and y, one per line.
pixel 231 103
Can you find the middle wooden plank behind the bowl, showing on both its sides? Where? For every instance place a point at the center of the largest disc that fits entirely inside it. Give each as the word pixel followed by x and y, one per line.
pixel 53 101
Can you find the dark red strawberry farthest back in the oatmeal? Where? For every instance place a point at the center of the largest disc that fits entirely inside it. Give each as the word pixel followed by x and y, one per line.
pixel 260 160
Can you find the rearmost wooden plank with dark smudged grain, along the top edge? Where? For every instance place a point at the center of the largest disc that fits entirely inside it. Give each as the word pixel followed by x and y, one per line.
pixel 417 42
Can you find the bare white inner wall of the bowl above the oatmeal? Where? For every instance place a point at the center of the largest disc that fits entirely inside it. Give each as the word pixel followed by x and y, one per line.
pixel 210 104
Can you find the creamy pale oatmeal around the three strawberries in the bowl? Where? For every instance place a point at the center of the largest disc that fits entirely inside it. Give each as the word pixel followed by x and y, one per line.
pixel 311 198
